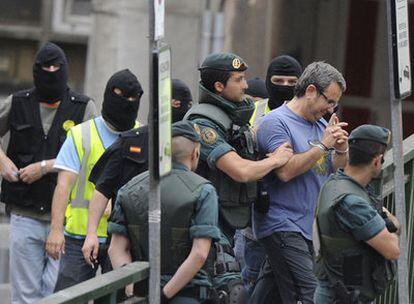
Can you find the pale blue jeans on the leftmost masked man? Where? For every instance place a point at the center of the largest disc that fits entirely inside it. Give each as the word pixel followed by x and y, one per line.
pixel 32 273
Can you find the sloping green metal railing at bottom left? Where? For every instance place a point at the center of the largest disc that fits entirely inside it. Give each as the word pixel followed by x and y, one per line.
pixel 103 288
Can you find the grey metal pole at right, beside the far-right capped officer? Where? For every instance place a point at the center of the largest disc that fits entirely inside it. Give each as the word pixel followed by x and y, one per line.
pixel 399 186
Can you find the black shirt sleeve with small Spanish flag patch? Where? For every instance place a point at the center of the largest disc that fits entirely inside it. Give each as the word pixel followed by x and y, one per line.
pixel 124 159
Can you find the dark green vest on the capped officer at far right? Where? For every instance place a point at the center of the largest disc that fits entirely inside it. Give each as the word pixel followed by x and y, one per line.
pixel 343 258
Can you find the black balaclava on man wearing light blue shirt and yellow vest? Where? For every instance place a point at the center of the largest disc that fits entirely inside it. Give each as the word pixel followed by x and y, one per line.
pixel 120 112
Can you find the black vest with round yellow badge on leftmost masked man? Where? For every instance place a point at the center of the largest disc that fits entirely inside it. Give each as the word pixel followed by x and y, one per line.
pixel 29 144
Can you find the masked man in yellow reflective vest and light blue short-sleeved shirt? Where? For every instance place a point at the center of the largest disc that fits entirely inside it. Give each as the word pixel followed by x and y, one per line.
pixel 82 149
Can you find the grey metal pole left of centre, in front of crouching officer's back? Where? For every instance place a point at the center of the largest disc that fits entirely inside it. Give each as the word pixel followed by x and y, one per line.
pixel 154 196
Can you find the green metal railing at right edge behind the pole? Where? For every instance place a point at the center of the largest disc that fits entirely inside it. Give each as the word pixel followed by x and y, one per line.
pixel 386 189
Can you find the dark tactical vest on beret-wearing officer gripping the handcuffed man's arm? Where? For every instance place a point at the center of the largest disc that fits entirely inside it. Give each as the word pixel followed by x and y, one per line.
pixel 235 198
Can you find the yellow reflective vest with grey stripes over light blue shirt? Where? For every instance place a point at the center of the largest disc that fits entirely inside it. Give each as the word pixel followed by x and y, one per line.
pixel 89 148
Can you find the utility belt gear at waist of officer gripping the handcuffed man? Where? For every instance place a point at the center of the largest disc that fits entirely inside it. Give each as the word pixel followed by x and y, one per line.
pixel 217 263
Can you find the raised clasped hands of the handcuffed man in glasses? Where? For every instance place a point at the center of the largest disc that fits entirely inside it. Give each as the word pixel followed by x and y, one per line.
pixel 334 136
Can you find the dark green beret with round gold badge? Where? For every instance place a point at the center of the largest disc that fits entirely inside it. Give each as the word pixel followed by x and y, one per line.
pixel 224 62
